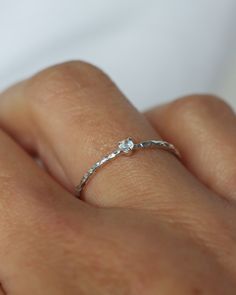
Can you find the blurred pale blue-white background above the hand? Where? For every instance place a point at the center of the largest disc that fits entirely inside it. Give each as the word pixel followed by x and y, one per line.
pixel 155 50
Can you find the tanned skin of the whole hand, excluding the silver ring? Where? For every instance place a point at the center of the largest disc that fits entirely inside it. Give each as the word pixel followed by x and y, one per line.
pixel 148 224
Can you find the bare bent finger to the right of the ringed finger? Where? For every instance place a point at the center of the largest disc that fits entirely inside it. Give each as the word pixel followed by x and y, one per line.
pixel 204 129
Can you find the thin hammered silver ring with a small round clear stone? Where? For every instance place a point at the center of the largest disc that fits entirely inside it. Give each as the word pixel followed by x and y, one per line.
pixel 125 147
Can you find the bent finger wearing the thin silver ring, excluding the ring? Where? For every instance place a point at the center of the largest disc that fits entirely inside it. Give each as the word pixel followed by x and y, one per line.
pixel 73 115
